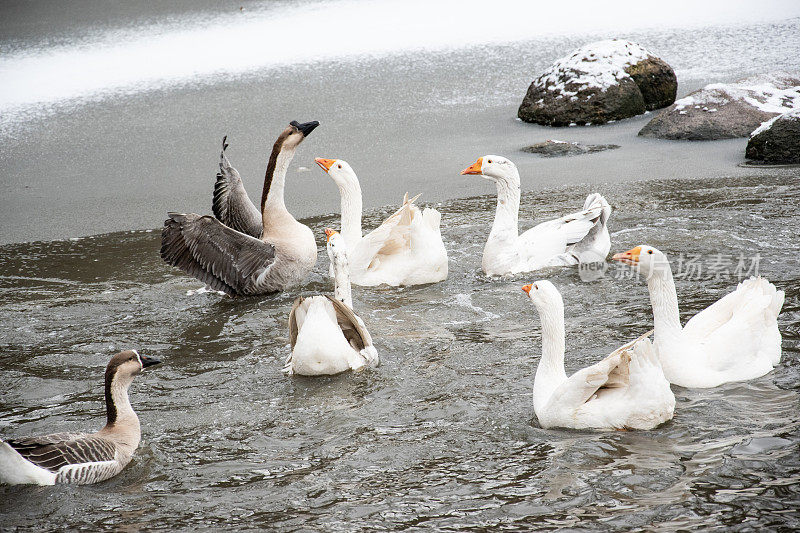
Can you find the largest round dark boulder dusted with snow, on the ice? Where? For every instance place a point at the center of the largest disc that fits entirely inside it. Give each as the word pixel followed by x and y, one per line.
pixel 599 82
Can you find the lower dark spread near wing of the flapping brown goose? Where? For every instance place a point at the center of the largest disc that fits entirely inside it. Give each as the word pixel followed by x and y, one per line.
pixel 222 258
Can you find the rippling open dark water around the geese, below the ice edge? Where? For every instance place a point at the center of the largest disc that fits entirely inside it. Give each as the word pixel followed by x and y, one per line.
pixel 443 433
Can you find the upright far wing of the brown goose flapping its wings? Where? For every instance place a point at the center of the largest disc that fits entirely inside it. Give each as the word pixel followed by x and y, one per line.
pixel 231 205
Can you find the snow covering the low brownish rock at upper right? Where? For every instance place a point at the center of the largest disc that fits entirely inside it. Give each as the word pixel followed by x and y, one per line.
pixel 770 93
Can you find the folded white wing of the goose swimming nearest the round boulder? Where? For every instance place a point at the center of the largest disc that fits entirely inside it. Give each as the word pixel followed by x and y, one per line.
pixel 554 236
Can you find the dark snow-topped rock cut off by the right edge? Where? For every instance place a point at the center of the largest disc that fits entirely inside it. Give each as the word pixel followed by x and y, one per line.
pixel 777 141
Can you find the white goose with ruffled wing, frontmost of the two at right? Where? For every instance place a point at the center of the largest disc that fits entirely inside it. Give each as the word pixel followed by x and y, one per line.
pixel 626 390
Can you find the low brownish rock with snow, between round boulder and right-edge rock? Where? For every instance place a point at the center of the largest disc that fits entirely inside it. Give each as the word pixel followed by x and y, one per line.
pixel 726 111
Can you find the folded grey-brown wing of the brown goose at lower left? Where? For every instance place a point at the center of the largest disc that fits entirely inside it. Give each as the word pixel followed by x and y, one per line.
pixel 52 452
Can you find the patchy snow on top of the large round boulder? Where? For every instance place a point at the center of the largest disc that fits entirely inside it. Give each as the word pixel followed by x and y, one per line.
pixel 597 65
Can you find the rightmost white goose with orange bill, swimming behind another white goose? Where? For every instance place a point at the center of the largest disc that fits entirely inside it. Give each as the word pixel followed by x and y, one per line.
pixel 734 339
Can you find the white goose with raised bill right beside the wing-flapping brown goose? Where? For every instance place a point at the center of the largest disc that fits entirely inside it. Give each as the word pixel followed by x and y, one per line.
pixel 406 249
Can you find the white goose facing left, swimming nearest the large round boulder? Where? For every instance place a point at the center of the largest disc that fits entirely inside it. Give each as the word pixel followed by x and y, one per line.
pixel 569 240
